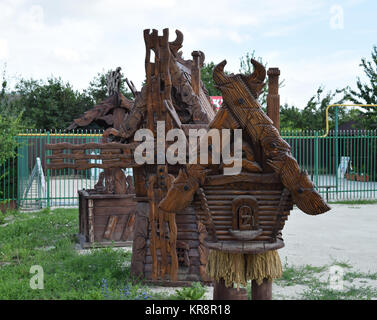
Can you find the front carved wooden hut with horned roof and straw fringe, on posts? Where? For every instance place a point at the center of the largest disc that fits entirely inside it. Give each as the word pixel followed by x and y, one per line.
pixel 245 213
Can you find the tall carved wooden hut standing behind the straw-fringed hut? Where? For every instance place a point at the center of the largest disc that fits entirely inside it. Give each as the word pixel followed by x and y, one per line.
pixel 168 246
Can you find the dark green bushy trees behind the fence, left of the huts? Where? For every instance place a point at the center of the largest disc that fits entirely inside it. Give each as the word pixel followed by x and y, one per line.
pixel 52 104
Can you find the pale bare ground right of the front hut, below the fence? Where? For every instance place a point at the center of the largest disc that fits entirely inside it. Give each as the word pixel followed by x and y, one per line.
pixel 346 233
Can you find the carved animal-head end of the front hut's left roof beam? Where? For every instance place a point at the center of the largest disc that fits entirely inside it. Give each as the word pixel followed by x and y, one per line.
pixel 180 193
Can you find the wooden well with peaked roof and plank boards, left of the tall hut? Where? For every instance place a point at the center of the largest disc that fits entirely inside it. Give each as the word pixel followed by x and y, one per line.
pixel 107 212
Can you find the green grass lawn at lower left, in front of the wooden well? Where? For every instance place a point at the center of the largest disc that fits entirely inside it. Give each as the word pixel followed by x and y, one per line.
pixel 102 274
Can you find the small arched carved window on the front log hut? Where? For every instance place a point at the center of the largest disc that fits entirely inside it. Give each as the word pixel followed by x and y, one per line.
pixel 245 213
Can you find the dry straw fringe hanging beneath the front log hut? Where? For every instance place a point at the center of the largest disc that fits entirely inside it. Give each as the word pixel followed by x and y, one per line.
pixel 238 268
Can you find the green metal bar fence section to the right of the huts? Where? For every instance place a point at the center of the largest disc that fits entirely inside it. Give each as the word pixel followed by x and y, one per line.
pixel 342 164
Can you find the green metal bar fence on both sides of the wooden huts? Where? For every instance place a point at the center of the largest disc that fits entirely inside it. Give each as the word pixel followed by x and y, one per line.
pixel 342 164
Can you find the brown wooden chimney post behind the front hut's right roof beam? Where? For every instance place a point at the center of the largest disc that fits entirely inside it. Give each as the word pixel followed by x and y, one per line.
pixel 273 98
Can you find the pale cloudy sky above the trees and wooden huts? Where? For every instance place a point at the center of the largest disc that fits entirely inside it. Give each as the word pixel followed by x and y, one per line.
pixel 312 42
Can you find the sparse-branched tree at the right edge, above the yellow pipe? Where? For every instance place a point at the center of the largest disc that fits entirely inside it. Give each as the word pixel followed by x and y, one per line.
pixel 366 93
